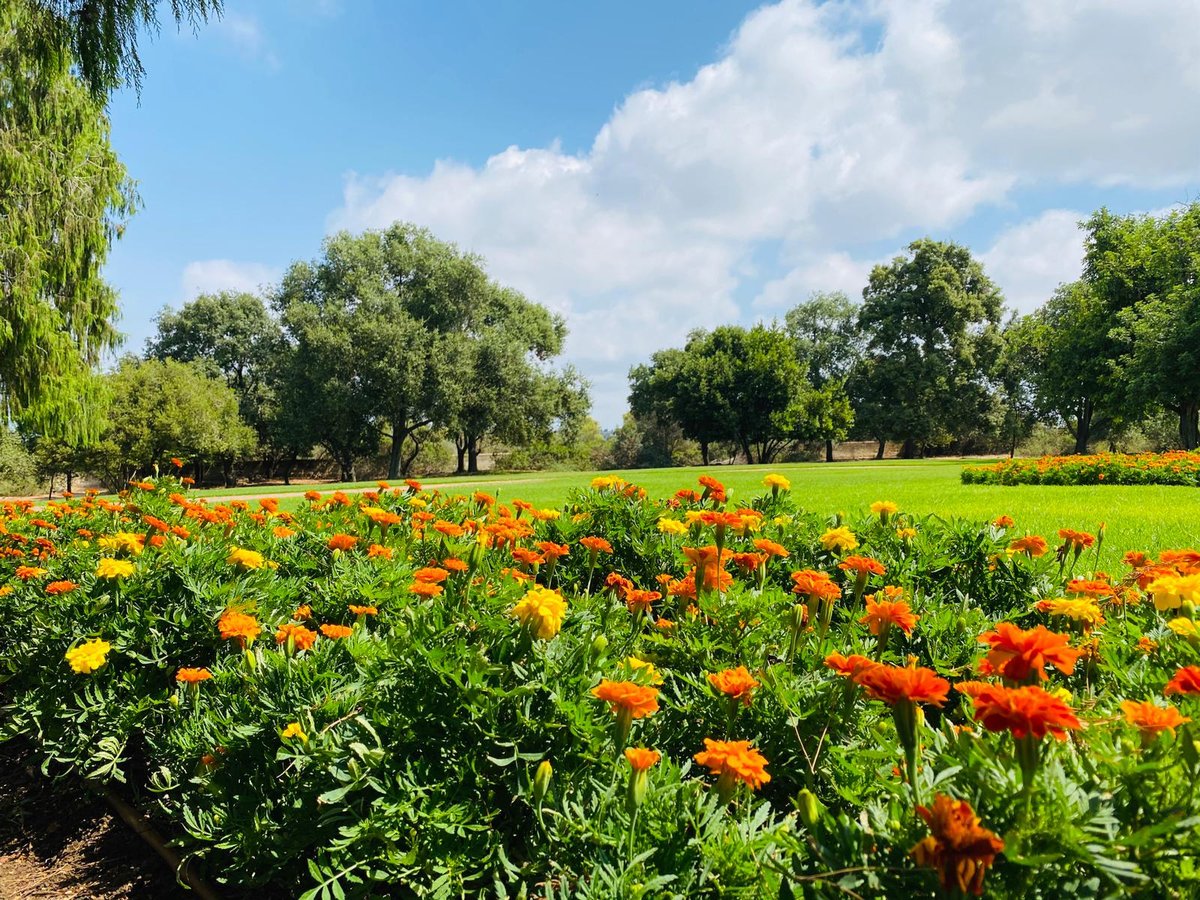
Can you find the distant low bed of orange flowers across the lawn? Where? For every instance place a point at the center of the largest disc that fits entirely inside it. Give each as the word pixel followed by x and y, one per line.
pixel 1178 467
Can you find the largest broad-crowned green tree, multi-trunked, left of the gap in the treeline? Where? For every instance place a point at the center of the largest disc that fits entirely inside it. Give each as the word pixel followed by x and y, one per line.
pixel 394 332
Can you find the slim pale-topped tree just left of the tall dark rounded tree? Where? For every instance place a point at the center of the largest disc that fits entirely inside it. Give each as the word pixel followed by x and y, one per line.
pixel 829 346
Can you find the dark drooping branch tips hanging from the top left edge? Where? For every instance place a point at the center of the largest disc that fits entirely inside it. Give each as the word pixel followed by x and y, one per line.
pixel 103 37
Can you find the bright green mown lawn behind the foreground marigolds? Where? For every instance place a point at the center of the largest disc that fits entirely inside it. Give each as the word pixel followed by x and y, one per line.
pixel 1149 519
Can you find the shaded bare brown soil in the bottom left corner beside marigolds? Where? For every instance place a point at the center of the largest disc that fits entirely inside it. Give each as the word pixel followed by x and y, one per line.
pixel 67 844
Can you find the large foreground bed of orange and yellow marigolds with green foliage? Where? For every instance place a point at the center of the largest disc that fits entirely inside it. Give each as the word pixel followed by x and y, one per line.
pixel 419 695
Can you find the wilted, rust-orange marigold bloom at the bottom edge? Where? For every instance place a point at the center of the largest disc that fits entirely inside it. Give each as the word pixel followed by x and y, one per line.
pixel 958 848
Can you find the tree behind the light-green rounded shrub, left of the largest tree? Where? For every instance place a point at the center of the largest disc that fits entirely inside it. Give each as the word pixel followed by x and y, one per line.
pixel 236 335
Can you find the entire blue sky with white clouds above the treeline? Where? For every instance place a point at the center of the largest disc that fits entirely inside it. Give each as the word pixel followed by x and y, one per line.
pixel 650 169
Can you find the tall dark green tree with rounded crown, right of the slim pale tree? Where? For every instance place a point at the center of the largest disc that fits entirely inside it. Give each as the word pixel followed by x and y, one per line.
pixel 931 323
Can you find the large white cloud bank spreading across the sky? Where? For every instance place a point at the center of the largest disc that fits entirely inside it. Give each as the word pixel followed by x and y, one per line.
pixel 823 133
